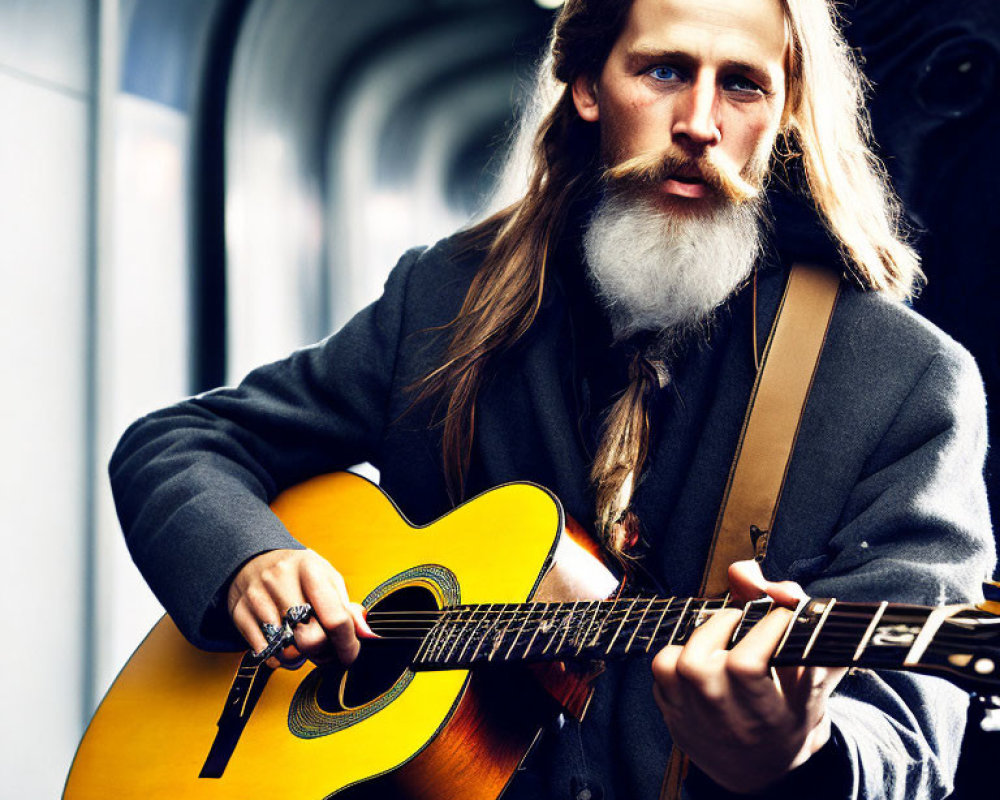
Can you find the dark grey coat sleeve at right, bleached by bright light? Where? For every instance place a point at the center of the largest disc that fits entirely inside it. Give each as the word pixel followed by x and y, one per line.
pixel 915 528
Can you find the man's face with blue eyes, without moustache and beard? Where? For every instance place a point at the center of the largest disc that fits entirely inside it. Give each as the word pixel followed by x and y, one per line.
pixel 705 78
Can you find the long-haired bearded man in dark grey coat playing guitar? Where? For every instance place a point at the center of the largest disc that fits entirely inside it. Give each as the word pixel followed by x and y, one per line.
pixel 598 337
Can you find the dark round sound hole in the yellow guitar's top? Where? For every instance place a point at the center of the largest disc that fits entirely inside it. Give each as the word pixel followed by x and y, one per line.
pixel 381 662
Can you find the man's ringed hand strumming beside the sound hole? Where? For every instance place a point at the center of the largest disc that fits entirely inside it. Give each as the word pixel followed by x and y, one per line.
pixel 269 584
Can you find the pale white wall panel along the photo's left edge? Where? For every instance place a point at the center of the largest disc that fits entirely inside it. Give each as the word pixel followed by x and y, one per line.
pixel 44 164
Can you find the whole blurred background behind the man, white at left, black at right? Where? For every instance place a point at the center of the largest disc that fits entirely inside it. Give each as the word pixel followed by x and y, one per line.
pixel 193 187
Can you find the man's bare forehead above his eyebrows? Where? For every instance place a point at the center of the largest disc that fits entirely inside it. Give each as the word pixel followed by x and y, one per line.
pixel 751 31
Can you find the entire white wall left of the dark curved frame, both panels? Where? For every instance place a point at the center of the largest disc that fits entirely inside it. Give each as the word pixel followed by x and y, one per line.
pixel 92 244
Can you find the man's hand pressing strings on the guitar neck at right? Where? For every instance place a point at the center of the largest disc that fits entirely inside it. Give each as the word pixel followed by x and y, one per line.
pixel 742 722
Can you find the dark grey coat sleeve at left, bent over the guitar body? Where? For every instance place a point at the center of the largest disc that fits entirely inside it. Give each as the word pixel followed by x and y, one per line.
pixel 192 482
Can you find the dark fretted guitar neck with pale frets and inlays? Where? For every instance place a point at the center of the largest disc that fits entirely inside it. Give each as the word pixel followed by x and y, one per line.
pixel 821 632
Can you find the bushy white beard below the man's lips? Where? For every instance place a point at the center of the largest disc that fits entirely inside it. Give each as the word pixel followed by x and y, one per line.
pixel 656 271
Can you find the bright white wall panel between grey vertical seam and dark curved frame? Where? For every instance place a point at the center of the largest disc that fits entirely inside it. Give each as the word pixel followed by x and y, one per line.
pixel 145 333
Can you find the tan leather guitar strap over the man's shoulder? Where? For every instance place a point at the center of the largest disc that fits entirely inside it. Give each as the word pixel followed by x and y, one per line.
pixel 764 449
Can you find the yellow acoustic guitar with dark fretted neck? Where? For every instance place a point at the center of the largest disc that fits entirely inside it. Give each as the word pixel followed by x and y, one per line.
pixel 489 620
